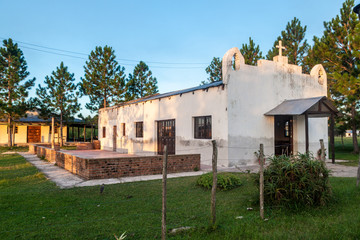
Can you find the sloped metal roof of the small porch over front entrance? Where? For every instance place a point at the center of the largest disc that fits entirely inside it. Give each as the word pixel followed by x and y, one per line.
pixel 300 106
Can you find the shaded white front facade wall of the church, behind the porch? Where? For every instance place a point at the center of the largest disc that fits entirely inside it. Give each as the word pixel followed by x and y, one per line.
pixel 255 90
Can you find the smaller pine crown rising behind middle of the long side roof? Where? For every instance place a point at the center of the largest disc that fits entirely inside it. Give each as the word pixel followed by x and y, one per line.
pixel 141 83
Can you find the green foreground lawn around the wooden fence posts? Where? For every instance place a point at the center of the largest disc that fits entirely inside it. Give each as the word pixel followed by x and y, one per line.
pixel 32 207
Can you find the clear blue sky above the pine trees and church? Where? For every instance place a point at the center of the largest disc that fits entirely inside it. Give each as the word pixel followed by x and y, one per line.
pixel 177 39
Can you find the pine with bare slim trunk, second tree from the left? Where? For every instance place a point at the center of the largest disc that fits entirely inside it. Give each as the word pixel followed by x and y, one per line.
pixel 60 95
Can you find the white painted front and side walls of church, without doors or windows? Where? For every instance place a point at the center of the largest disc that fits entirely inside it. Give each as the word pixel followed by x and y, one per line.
pixel 237 109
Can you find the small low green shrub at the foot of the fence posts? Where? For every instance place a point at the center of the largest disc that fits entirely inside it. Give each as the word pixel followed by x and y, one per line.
pixel 225 181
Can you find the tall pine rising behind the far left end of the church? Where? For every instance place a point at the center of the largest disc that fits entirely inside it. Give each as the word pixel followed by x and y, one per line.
pixel 104 80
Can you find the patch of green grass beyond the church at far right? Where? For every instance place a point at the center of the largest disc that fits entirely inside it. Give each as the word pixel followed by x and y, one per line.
pixel 345 152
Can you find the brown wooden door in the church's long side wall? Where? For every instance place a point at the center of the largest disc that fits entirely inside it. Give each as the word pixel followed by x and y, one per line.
pixel 166 136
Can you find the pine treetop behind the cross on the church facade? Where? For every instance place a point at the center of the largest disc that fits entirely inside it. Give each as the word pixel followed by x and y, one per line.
pixel 293 38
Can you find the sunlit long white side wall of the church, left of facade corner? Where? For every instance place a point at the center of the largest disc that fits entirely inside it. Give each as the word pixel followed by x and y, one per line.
pixel 183 108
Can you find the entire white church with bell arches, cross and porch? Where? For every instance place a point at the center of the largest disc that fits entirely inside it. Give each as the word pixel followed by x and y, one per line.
pixel 272 103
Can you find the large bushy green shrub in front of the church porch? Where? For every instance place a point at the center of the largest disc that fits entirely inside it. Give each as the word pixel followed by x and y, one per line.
pixel 299 180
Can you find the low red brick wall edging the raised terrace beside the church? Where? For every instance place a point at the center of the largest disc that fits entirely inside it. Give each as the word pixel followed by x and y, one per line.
pixel 127 166
